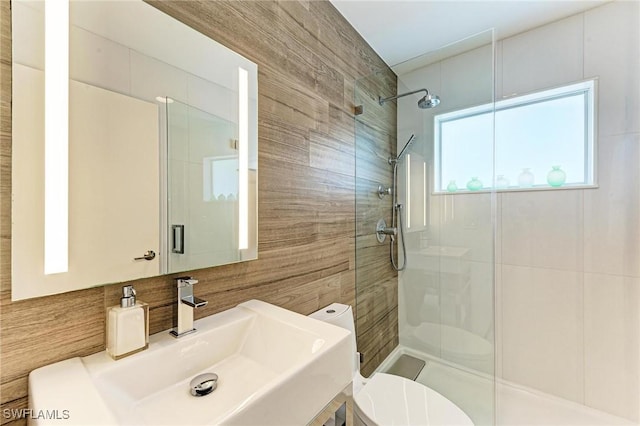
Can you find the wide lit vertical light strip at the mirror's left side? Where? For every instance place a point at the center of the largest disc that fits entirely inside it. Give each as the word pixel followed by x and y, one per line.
pixel 56 161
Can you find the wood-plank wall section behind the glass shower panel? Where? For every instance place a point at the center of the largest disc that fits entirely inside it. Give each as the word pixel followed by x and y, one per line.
pixel 376 280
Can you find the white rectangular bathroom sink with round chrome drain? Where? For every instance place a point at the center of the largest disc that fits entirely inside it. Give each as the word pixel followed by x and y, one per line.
pixel 274 367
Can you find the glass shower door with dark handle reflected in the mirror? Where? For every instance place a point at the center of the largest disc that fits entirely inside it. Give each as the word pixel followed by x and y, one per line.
pixel 204 190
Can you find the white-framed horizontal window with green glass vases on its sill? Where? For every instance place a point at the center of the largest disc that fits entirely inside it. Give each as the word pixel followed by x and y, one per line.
pixel 539 139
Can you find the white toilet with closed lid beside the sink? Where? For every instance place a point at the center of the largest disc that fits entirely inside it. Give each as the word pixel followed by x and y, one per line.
pixel 385 399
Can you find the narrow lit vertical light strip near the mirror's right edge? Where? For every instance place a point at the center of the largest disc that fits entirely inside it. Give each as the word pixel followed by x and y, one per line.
pixel 243 160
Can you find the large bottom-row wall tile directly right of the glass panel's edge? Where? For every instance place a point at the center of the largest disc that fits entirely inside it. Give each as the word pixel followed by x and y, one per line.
pixel 542 345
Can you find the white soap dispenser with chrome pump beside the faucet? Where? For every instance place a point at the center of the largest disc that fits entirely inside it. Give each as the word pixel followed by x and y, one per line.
pixel 127 325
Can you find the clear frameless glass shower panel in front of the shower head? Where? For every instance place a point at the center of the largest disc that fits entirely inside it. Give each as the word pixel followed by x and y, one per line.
pixel 440 309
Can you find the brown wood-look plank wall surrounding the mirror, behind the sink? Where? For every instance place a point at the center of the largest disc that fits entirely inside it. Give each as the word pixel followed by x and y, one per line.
pixel 308 58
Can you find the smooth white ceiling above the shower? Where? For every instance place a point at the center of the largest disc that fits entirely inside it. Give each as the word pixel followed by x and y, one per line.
pixel 402 30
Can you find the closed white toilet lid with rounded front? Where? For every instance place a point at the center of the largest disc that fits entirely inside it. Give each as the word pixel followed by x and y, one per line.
pixel 393 400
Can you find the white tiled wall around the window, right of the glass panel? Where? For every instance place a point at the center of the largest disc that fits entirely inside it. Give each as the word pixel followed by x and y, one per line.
pixel 568 303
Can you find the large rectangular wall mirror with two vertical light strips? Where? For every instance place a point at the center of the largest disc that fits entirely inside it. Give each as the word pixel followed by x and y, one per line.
pixel 156 171
